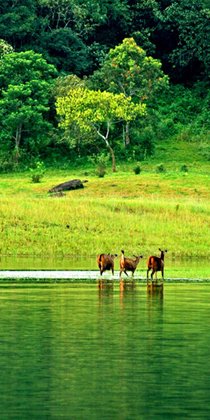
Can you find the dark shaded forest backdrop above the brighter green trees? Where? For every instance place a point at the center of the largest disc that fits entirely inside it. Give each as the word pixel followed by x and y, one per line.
pixel 74 34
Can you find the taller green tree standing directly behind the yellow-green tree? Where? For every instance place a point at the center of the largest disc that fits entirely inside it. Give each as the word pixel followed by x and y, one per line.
pixel 127 69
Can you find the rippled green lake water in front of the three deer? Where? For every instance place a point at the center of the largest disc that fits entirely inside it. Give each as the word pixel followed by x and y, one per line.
pixel 77 351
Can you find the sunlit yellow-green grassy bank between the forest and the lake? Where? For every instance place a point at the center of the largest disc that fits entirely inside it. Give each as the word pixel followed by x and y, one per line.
pixel 139 213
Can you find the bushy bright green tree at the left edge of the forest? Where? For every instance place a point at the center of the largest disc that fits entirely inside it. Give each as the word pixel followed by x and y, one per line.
pixel 25 82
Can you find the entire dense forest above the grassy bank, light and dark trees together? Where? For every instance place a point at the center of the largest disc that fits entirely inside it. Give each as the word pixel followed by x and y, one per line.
pixel 100 78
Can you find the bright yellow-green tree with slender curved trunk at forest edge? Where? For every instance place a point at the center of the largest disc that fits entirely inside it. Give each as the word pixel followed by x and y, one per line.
pixel 97 111
